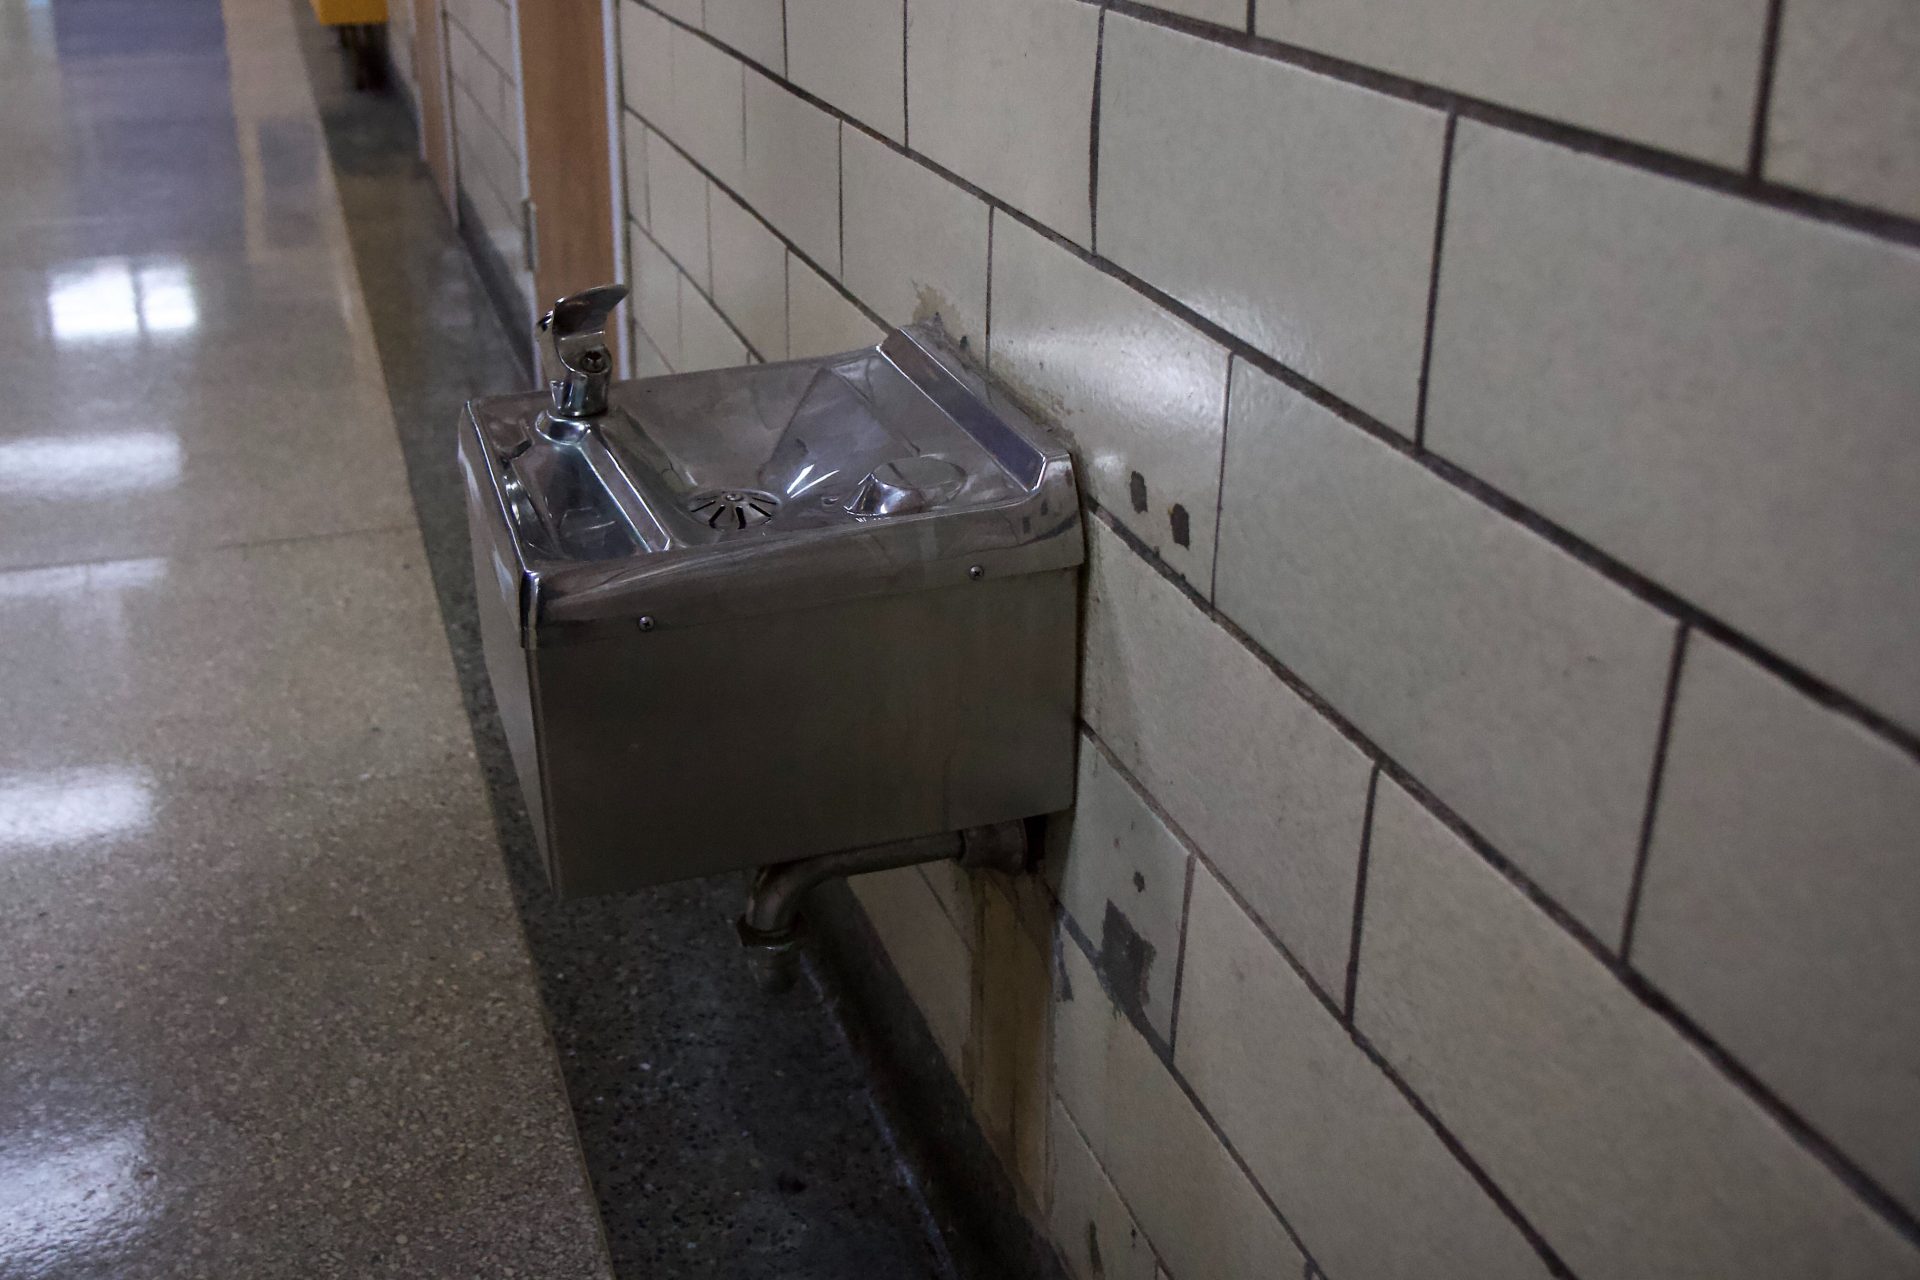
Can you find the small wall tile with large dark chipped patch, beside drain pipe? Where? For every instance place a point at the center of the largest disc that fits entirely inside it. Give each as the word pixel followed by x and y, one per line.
pixel 1122 876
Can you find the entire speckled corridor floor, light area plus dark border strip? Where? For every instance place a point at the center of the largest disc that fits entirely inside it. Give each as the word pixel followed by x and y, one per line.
pixel 266 995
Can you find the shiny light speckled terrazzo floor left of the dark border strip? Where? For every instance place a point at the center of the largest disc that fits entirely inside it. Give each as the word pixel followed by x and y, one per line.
pixel 266 1008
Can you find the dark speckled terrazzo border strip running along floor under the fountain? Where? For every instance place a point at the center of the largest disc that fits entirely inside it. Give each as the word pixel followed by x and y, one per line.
pixel 729 1135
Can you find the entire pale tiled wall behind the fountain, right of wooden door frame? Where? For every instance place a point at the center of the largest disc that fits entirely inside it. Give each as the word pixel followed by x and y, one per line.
pixel 1497 849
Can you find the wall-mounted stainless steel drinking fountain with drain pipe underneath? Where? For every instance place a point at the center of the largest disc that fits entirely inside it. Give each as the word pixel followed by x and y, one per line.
pixel 815 617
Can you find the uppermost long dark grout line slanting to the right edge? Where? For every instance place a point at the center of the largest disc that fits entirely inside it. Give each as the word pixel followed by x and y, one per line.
pixel 1896 227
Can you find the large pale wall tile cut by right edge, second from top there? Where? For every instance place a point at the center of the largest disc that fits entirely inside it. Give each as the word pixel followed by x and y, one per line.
pixel 1616 346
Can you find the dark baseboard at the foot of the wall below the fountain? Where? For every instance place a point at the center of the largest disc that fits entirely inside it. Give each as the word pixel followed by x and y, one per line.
pixel 963 1183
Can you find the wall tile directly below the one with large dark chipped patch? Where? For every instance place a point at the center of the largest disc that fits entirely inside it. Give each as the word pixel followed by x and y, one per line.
pixel 1199 1210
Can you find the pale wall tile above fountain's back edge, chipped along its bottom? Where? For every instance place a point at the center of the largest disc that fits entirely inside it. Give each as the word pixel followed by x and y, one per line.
pixel 917 245
